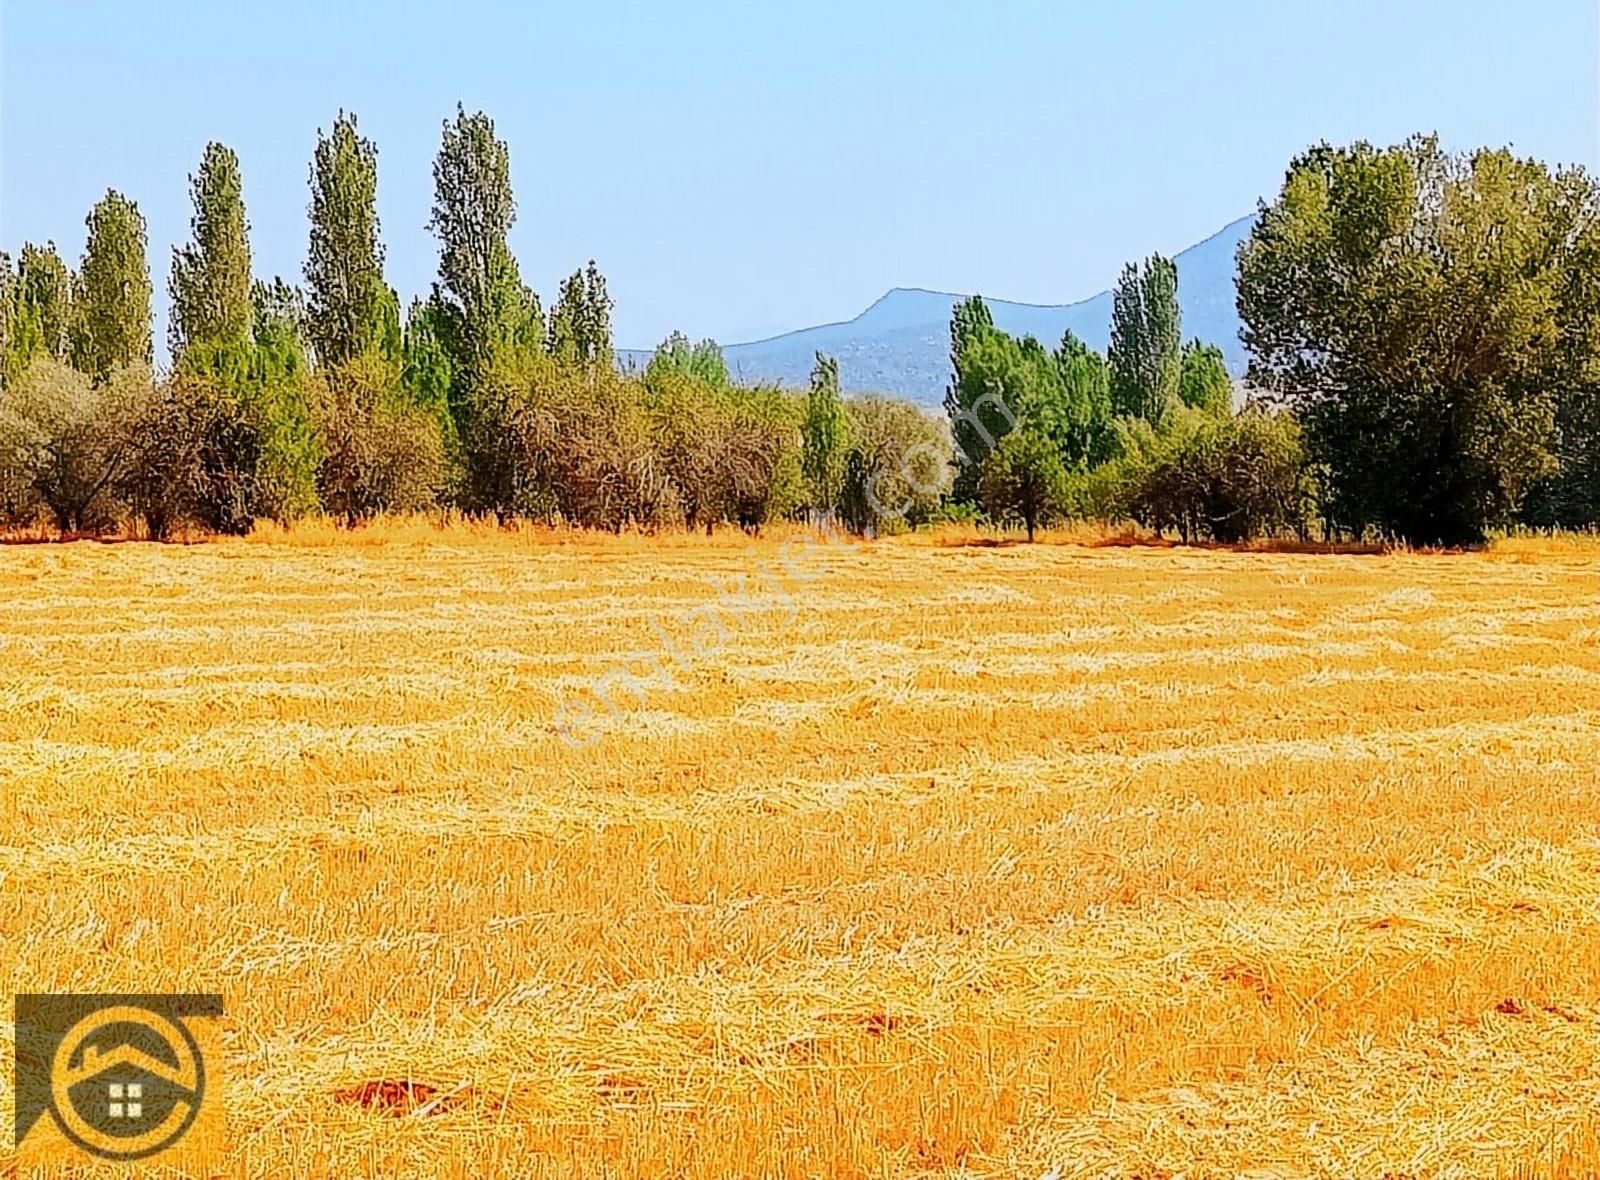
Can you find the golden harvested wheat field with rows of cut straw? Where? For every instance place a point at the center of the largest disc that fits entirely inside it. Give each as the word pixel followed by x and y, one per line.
pixel 895 859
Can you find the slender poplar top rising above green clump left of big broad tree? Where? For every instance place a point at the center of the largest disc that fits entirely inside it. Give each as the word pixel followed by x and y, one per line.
pixel 1145 341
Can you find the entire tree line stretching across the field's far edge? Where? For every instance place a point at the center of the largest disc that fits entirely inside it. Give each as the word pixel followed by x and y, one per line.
pixel 1425 338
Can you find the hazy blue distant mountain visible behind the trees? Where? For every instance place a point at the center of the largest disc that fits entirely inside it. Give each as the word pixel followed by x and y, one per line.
pixel 902 345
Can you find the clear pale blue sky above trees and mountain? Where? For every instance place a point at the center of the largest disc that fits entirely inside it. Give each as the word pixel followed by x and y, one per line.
pixel 740 169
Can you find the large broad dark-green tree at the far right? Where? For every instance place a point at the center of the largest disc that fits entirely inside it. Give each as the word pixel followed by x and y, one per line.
pixel 1418 313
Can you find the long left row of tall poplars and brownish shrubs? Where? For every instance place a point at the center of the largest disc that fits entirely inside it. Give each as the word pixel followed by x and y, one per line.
pixel 284 401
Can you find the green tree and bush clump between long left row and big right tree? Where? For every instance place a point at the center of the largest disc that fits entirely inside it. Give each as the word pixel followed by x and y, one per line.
pixel 1145 433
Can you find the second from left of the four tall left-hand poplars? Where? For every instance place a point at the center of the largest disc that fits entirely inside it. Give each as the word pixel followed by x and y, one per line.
pixel 210 281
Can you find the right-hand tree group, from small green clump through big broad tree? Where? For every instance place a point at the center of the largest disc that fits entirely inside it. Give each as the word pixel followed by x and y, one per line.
pixel 1425 337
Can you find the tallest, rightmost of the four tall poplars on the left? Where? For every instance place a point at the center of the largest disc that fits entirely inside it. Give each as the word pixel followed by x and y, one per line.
pixel 484 306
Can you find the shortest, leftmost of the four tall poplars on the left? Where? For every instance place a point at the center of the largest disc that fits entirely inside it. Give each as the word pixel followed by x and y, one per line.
pixel 113 292
